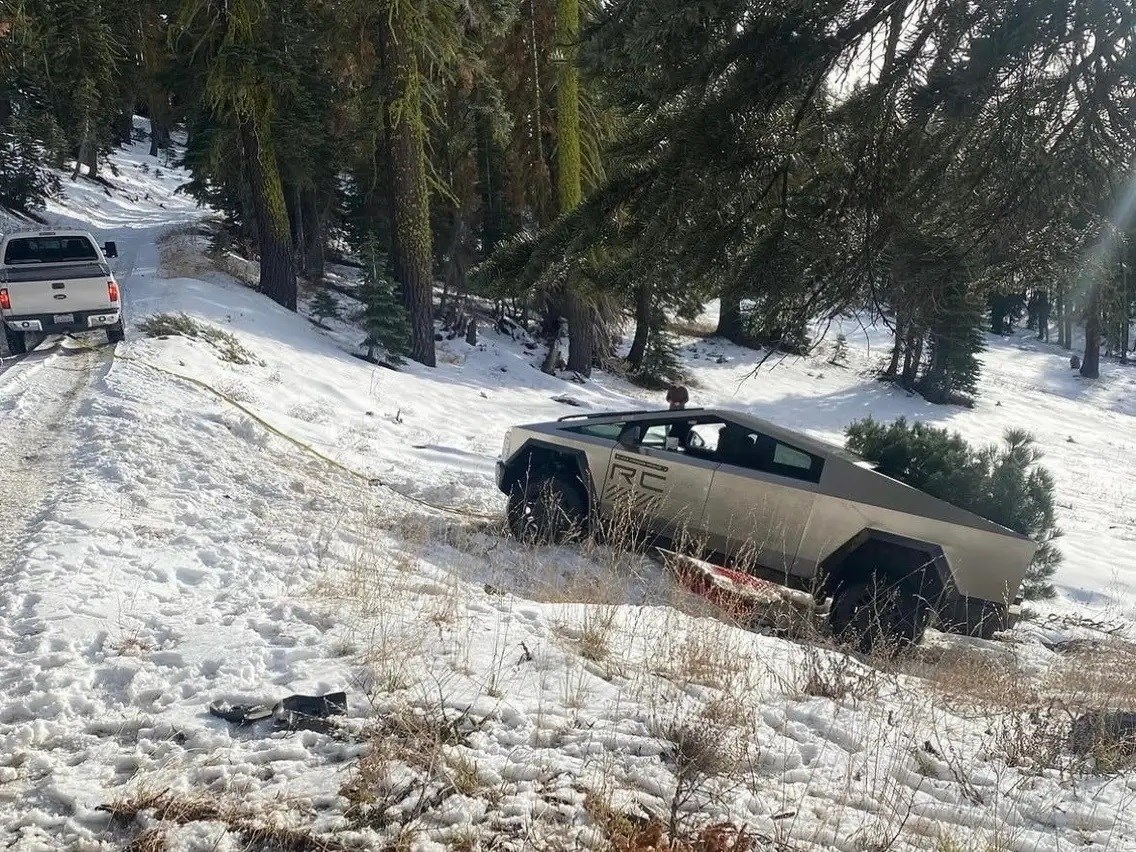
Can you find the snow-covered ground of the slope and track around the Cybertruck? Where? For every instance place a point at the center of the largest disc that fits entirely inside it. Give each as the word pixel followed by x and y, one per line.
pixel 182 529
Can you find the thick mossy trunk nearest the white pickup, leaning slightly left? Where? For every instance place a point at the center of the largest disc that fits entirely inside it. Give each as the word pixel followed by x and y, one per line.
pixel 278 265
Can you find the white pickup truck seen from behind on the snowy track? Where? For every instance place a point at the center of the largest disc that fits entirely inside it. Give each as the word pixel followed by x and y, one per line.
pixel 57 281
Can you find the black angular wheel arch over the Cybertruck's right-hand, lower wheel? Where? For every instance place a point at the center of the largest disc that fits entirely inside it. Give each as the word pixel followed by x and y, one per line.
pixel 898 556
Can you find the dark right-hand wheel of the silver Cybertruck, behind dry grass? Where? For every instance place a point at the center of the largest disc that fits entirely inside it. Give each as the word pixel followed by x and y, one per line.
pixel 880 615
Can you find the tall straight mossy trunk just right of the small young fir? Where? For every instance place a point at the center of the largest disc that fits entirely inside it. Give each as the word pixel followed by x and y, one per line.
pixel 407 154
